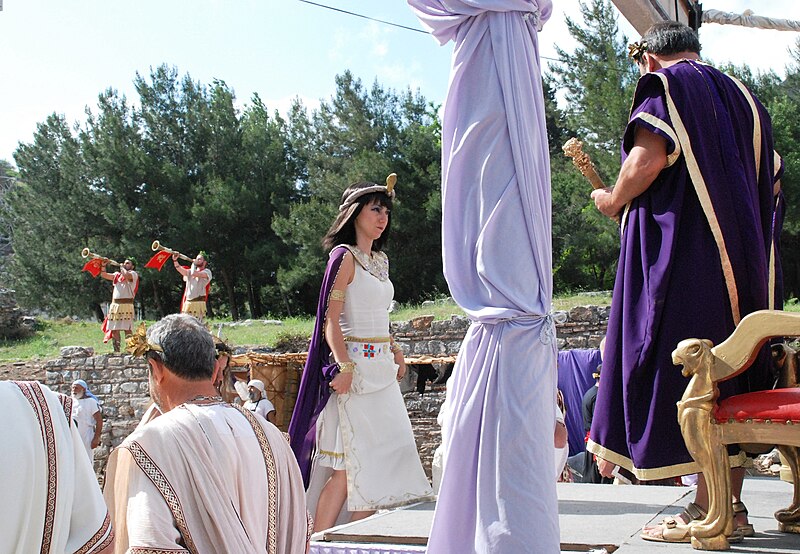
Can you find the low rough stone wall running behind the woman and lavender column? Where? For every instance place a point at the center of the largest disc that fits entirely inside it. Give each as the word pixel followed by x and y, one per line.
pixel 120 382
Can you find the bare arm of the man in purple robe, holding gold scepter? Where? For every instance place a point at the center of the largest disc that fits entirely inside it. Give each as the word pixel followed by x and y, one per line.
pixel 646 160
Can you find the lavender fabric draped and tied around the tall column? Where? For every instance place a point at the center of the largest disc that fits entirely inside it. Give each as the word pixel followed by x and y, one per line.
pixel 498 487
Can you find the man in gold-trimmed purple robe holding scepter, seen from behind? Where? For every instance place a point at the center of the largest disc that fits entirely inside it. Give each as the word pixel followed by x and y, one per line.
pixel 699 197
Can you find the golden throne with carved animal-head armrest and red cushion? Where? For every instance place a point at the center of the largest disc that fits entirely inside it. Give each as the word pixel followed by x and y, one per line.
pixel 769 417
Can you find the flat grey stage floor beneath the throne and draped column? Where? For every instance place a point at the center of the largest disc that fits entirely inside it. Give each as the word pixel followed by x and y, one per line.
pixel 594 518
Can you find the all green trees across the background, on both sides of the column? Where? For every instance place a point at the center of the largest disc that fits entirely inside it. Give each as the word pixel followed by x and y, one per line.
pixel 189 165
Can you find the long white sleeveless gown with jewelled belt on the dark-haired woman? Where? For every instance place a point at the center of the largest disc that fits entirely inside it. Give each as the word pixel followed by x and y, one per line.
pixel 367 431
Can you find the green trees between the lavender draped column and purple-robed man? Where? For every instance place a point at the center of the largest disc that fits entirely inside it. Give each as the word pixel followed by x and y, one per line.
pixel 597 81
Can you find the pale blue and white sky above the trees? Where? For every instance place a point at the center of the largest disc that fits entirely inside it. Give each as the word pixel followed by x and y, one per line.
pixel 57 56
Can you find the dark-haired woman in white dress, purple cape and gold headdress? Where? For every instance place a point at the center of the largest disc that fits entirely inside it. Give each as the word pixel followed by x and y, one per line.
pixel 363 457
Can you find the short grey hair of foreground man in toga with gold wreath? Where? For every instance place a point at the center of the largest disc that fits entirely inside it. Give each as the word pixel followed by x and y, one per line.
pixel 188 348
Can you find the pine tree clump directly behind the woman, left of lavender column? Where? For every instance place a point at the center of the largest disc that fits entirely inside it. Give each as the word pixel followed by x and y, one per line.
pixel 365 134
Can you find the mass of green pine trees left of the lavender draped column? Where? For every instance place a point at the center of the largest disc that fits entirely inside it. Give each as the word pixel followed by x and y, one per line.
pixel 190 168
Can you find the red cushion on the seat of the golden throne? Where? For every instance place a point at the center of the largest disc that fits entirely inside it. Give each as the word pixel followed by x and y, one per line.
pixel 779 406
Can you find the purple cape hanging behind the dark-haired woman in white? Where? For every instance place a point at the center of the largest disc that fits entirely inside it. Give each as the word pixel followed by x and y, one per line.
pixel 313 393
